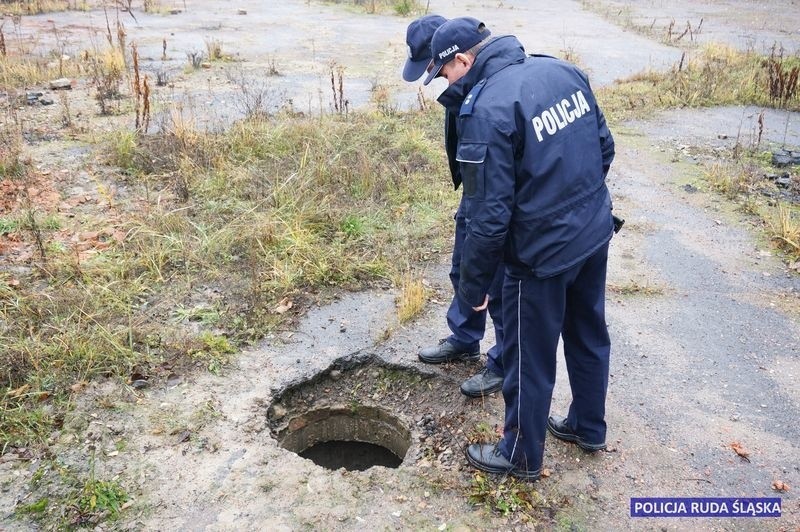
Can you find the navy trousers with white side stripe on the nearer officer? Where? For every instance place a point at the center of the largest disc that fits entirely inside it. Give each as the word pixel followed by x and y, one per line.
pixel 536 312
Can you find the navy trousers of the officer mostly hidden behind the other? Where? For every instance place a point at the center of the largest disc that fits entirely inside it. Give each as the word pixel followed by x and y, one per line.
pixel 468 328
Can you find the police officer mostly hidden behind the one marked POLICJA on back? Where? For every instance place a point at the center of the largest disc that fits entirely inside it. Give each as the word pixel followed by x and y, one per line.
pixel 467 328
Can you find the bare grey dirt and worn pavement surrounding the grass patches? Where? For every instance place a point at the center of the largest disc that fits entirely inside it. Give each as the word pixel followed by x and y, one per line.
pixel 705 358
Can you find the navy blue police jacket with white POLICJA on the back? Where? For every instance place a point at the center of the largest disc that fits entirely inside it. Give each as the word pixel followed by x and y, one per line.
pixel 533 152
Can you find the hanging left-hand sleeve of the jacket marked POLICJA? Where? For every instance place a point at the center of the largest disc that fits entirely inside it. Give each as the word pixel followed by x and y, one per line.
pixel 486 158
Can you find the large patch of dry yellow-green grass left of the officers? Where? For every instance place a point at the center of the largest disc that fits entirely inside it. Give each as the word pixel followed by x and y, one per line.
pixel 217 230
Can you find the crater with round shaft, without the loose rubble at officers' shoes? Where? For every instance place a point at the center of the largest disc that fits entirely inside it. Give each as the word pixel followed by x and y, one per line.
pixel 354 415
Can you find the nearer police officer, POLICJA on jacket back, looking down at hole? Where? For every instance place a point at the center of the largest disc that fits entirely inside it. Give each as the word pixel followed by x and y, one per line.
pixel 534 151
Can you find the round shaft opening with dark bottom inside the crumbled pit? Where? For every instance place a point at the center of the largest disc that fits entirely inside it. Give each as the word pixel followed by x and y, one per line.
pixel 354 437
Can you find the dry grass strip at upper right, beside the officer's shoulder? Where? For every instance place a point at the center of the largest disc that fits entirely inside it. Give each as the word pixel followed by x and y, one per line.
pixel 715 75
